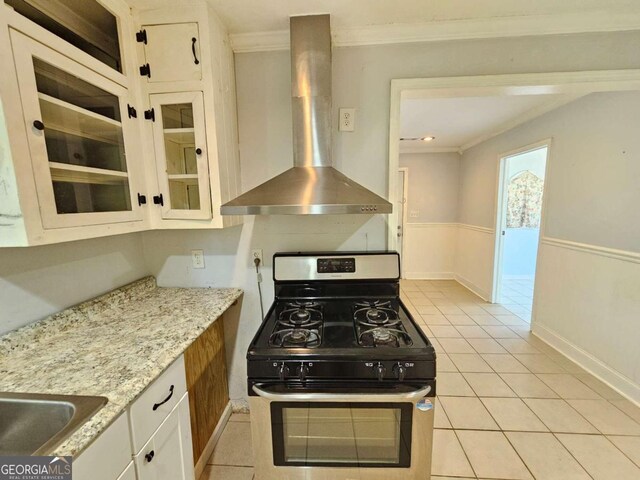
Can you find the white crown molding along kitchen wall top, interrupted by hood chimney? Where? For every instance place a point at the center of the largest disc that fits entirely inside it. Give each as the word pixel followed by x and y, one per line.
pixel 496 27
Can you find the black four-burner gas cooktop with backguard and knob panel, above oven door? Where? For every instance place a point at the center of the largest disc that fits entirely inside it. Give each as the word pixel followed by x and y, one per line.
pixel 338 322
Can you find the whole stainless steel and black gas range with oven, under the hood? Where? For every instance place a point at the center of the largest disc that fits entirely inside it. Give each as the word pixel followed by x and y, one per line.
pixel 341 380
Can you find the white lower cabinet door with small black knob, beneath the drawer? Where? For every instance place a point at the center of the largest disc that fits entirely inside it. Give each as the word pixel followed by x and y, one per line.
pixel 168 455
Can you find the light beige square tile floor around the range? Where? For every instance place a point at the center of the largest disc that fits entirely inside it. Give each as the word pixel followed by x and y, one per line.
pixel 509 406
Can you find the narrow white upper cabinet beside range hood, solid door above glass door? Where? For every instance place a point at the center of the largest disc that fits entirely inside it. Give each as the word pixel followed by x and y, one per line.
pixel 191 125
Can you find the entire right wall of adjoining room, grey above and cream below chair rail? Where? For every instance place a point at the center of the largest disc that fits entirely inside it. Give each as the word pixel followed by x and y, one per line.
pixel 587 298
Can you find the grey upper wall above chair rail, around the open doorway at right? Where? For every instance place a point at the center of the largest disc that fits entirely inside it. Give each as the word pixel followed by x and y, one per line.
pixel 594 156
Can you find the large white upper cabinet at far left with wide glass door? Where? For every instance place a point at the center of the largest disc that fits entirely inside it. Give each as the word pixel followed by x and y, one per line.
pixel 71 163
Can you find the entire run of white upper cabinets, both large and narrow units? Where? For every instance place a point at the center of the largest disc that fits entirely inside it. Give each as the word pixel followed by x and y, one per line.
pixel 91 147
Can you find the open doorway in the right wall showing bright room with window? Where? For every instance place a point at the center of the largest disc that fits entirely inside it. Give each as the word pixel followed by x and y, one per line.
pixel 519 219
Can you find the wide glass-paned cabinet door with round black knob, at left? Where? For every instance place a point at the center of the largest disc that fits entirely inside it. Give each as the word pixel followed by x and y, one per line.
pixel 78 138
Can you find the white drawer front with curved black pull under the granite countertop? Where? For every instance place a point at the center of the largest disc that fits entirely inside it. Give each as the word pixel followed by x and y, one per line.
pixel 156 402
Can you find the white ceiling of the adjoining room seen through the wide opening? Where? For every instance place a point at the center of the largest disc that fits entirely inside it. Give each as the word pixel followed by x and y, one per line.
pixel 459 123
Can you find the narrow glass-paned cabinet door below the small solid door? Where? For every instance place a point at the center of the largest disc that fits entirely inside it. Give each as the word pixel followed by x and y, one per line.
pixel 181 155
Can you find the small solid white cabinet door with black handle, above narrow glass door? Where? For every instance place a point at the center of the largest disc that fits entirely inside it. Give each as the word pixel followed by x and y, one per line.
pixel 172 52
